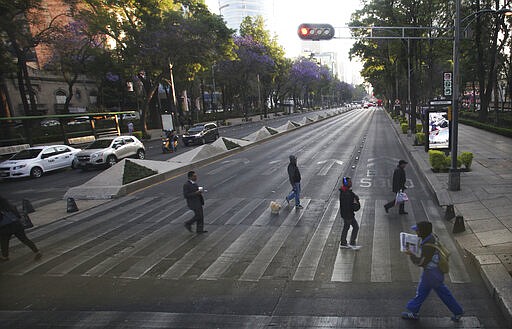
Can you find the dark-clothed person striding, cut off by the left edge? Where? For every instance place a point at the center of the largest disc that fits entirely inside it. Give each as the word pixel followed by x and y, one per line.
pixel 10 225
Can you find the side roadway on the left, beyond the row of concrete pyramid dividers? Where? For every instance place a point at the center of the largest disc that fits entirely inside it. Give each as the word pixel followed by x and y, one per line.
pixel 52 186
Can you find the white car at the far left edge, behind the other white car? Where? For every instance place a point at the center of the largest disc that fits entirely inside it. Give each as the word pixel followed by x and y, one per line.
pixel 34 161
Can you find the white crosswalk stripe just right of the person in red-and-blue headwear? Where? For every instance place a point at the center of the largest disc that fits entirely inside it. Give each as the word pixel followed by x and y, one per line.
pixel 381 256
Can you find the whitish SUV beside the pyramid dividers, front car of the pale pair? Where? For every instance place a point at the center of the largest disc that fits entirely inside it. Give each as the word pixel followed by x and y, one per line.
pixel 108 151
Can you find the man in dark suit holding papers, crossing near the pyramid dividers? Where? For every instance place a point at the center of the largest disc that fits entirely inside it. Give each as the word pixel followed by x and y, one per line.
pixel 195 201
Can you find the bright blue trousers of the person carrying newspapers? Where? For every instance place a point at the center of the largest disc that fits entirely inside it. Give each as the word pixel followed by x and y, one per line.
pixel 433 279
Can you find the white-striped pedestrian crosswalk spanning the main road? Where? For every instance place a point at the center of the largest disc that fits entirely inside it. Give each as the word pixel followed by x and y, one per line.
pixel 144 237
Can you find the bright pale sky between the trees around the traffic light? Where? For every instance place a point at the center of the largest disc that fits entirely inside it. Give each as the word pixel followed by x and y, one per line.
pixel 289 14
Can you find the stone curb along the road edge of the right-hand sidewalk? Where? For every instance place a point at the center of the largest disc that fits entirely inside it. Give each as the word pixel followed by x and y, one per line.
pixel 493 272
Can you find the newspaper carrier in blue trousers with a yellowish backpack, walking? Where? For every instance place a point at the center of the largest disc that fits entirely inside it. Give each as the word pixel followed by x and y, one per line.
pixel 431 277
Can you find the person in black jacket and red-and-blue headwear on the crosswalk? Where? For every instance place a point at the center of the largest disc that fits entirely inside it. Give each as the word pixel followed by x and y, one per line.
pixel 349 203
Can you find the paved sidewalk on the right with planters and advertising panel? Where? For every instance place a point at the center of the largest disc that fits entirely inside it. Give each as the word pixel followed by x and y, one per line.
pixel 485 201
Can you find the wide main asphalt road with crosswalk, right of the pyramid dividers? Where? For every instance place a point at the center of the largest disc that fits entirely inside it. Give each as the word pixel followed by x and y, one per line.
pixel 131 263
